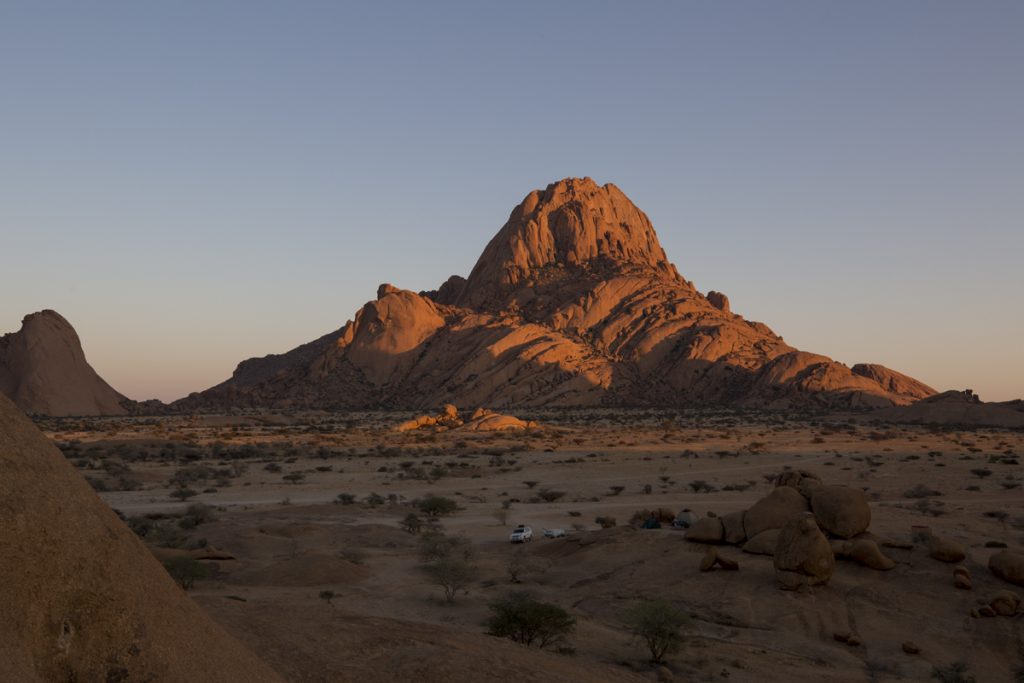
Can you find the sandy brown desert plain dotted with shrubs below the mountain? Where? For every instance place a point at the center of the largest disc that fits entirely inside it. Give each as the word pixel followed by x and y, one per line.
pixel 292 541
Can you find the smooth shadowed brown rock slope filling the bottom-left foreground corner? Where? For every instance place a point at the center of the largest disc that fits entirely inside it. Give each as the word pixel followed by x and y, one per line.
pixel 83 600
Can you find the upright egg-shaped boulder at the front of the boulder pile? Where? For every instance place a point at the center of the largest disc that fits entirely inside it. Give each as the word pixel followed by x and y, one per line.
pixel 803 556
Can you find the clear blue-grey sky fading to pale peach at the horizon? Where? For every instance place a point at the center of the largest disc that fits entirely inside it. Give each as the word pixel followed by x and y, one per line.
pixel 194 184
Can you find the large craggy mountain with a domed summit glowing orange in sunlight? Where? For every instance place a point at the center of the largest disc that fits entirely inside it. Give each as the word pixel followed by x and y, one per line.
pixel 574 303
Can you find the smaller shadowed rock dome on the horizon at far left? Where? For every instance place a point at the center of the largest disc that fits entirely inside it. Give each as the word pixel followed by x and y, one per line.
pixel 44 370
